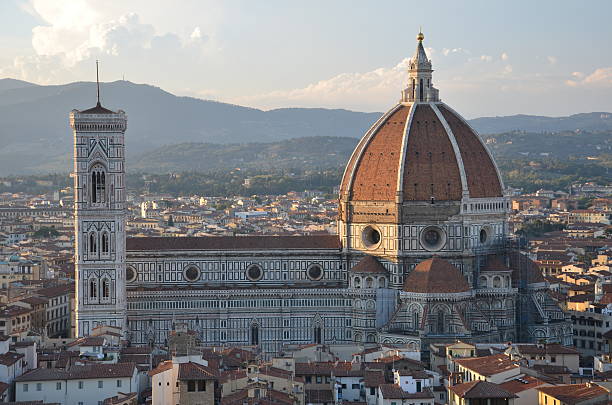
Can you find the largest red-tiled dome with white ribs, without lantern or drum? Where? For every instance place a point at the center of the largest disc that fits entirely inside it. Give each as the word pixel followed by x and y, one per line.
pixel 419 151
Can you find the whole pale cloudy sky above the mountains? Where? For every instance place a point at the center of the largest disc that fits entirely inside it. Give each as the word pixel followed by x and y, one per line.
pixel 490 57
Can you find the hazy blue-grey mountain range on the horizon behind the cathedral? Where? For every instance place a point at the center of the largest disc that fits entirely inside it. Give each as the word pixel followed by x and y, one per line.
pixel 35 136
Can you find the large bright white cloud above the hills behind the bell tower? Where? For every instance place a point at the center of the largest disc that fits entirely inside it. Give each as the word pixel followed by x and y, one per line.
pixel 72 33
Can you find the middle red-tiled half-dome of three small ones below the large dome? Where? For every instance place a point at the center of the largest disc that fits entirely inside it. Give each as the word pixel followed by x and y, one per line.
pixel 435 276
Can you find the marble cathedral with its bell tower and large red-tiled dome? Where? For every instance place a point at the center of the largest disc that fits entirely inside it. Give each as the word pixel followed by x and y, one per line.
pixel 422 253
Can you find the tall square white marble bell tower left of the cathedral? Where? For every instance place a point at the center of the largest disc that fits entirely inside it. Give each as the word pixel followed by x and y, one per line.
pixel 99 217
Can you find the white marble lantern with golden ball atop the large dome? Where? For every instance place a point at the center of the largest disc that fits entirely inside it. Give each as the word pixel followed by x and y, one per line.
pixel 420 87
